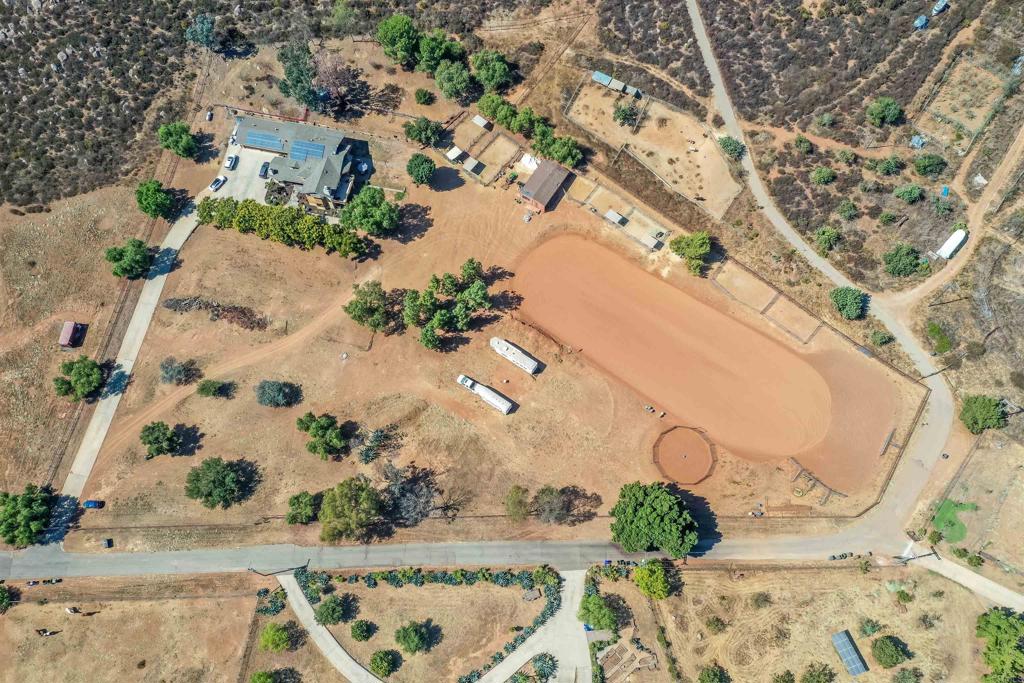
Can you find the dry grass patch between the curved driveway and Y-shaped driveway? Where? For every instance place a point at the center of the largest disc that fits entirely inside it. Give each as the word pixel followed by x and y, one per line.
pixel 475 623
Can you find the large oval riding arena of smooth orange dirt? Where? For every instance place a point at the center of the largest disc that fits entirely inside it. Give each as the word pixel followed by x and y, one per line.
pixel 753 395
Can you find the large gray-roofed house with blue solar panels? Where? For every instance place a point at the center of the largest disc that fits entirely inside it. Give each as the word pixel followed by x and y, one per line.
pixel 316 160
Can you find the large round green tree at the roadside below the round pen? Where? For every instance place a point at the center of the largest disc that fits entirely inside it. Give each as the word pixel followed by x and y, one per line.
pixel 649 517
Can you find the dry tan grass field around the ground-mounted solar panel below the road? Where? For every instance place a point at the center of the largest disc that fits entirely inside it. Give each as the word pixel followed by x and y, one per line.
pixel 801 609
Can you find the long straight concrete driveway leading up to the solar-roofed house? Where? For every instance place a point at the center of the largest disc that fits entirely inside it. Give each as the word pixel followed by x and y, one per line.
pixel 96 433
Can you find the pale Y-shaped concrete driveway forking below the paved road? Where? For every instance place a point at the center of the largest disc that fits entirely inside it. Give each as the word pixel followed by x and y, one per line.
pixel 563 637
